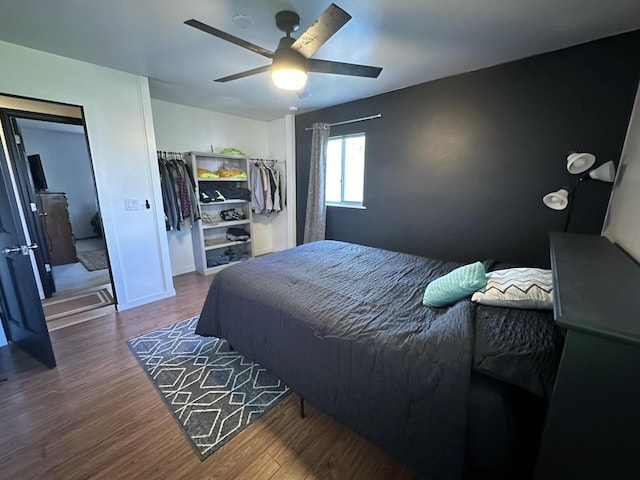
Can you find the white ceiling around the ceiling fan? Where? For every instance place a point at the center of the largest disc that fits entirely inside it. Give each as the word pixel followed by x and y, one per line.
pixel 413 40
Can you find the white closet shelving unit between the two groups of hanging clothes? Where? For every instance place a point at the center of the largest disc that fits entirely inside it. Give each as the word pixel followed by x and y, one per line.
pixel 209 236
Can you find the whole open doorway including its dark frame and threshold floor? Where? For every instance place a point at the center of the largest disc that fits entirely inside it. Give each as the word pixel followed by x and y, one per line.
pixel 58 190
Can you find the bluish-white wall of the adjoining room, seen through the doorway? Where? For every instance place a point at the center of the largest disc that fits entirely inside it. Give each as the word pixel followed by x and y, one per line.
pixel 67 167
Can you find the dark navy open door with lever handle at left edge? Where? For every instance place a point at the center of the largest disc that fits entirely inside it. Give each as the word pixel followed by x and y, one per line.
pixel 20 307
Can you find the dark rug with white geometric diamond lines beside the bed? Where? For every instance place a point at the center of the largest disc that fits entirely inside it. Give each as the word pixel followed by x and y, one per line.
pixel 212 392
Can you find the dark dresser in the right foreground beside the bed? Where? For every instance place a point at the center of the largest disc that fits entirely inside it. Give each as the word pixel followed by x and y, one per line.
pixel 593 425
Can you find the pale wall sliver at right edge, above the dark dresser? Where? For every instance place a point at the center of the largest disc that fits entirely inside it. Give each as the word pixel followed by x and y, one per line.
pixel 622 224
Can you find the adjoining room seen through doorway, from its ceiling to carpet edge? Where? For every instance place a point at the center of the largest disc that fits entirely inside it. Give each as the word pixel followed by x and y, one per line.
pixel 61 171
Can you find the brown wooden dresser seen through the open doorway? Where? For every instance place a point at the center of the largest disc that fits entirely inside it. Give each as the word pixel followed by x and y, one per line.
pixel 54 213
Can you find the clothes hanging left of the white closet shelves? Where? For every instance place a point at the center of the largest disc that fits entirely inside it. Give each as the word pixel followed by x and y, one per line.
pixel 178 191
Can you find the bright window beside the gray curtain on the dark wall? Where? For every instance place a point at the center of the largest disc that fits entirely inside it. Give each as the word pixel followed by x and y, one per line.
pixel 345 171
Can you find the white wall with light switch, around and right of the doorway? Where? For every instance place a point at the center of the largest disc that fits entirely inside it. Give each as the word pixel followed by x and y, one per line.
pixel 117 109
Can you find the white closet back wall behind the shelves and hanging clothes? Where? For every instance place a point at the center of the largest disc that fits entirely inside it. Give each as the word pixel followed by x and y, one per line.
pixel 180 128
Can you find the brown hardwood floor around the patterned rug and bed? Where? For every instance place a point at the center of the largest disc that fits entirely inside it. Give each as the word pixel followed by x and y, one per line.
pixel 98 416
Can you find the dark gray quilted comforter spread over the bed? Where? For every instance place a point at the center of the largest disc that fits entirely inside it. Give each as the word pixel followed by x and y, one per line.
pixel 344 326
